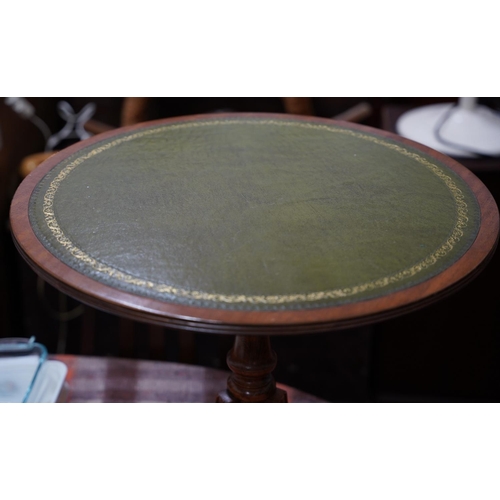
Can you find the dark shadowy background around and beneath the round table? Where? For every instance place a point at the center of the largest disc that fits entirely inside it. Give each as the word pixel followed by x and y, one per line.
pixel 446 352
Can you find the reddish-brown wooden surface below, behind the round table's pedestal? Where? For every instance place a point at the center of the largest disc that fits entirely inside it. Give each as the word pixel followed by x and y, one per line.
pixel 116 380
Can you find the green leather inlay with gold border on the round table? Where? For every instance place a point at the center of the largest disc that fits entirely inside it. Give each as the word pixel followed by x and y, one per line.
pixel 254 213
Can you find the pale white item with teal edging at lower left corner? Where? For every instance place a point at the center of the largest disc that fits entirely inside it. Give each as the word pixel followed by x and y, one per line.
pixel 20 363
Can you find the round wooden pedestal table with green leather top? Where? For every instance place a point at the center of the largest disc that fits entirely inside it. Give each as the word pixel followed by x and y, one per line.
pixel 254 225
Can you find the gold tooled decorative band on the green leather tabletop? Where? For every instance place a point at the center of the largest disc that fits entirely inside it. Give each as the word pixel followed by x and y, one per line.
pixel 80 255
